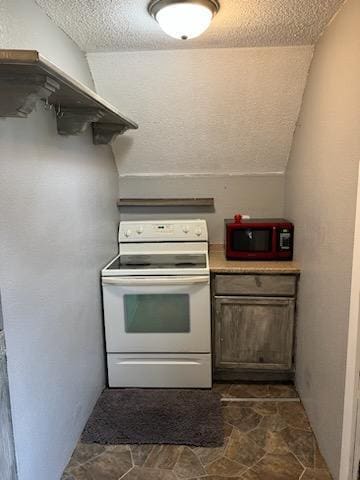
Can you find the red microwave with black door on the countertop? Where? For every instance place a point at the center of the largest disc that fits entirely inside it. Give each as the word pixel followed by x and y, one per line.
pixel 259 239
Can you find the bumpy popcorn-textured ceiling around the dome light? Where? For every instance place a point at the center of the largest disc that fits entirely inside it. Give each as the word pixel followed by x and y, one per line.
pixel 100 25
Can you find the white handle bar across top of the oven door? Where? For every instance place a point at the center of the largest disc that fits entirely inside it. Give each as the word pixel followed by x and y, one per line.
pixel 151 281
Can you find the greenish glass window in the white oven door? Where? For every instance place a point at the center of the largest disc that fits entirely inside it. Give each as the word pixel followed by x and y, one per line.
pixel 155 313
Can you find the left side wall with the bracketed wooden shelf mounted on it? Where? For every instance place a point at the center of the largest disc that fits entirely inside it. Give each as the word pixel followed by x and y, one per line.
pixel 57 229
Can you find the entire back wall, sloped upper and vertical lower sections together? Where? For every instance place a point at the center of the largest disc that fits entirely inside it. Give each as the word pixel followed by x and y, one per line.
pixel 211 121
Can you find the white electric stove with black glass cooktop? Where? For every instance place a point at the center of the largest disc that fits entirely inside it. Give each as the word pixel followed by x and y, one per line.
pixel 156 296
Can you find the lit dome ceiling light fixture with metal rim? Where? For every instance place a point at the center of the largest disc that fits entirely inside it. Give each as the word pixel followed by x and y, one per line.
pixel 183 19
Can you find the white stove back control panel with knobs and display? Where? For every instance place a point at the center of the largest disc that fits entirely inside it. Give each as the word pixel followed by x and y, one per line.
pixel 163 231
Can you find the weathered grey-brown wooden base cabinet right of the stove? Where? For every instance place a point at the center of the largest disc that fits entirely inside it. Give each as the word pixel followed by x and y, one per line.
pixel 253 325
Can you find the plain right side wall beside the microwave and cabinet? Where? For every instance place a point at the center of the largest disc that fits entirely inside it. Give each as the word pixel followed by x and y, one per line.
pixel 320 198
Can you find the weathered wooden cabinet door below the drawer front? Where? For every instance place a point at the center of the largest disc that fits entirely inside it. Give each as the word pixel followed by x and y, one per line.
pixel 254 333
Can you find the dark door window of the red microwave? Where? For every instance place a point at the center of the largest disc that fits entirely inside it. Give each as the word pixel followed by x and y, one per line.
pixel 252 240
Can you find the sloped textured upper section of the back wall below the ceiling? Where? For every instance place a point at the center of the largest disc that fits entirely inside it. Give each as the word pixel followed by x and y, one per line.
pixel 205 111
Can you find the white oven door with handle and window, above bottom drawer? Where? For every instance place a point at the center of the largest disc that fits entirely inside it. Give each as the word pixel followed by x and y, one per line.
pixel 157 314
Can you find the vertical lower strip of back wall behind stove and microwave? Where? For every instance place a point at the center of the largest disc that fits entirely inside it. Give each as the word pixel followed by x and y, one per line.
pixel 255 195
